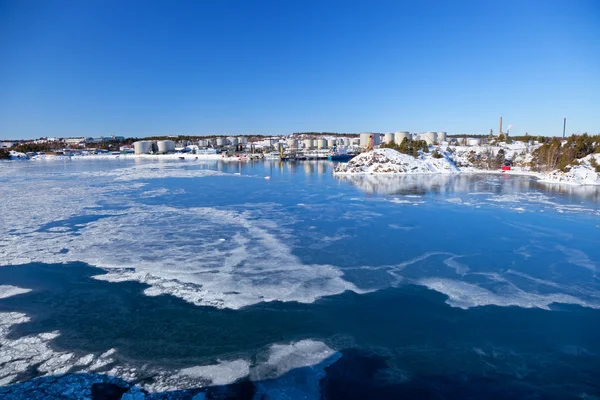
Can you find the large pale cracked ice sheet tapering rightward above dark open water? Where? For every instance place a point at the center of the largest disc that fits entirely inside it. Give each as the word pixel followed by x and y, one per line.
pixel 181 252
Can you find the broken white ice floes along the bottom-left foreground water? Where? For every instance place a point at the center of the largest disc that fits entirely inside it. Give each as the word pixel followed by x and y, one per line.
pixel 18 355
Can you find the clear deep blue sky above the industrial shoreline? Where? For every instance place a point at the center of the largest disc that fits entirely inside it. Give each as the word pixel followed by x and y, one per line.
pixel 137 68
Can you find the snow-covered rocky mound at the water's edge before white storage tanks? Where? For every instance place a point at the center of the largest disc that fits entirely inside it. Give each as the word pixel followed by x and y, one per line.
pixel 390 161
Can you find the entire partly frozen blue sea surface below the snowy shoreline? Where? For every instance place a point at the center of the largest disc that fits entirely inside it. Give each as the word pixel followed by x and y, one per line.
pixel 137 279
